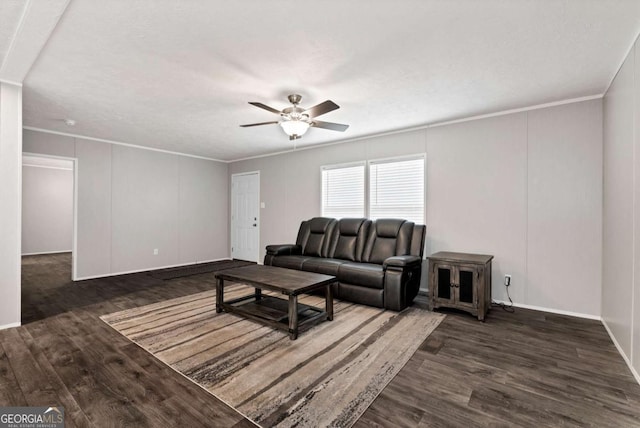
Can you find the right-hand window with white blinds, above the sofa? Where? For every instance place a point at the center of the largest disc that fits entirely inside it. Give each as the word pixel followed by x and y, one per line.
pixel 396 189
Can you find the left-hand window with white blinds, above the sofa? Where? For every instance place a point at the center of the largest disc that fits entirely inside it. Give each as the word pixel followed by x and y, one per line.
pixel 343 191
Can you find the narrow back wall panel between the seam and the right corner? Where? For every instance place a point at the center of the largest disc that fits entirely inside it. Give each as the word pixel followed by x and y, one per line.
pixel 564 208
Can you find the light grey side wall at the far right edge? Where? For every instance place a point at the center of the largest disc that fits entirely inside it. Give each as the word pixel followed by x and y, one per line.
pixel 621 264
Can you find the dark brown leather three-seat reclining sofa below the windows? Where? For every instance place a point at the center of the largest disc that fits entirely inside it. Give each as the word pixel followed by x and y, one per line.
pixel 377 263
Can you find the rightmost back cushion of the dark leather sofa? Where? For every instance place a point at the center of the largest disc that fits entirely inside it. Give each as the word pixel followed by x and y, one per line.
pixel 388 238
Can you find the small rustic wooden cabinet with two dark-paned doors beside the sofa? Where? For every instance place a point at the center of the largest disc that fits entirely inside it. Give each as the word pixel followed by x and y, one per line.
pixel 461 281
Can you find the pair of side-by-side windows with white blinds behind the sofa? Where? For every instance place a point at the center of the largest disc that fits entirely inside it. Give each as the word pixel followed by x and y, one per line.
pixel 394 189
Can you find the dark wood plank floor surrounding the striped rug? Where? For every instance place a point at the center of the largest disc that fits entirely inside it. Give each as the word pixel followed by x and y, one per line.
pixel 523 369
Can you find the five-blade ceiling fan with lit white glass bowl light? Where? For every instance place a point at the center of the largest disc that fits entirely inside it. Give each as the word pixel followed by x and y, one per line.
pixel 295 120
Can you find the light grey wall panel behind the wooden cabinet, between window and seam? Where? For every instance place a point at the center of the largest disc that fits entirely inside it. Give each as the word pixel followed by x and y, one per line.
pixel 477 195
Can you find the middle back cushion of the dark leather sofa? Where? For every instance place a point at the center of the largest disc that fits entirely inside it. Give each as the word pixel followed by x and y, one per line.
pixel 348 239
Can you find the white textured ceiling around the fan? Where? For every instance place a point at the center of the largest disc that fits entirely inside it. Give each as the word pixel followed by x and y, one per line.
pixel 177 76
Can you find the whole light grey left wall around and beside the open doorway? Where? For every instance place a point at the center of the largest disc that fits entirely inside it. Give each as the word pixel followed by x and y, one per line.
pixel 132 201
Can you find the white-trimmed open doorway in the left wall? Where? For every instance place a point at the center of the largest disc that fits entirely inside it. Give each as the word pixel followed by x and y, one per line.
pixel 49 206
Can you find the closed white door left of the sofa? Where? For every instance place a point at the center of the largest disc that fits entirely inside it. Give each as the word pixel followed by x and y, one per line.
pixel 245 216
